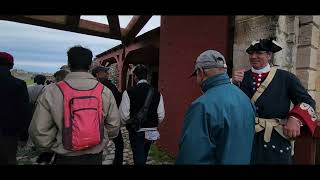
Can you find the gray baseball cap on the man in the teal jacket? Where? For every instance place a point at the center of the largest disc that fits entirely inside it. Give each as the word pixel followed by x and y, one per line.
pixel 209 59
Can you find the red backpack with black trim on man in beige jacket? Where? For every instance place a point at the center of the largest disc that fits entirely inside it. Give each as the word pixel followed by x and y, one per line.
pixel 83 117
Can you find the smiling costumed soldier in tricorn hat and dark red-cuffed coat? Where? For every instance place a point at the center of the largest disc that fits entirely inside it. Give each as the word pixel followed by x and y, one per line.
pixel 272 90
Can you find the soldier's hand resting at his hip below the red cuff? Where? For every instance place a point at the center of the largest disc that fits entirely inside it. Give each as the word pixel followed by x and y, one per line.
pixel 292 128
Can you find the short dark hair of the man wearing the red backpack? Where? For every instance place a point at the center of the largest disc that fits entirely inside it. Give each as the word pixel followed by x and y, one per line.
pixel 79 58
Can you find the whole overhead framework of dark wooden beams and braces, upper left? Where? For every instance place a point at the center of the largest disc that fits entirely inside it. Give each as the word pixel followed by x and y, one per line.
pixel 75 24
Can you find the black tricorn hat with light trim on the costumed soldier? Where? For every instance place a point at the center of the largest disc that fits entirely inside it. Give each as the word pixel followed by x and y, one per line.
pixel 269 45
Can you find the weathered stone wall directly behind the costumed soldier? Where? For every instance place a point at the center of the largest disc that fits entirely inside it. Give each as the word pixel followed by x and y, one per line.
pixel 299 36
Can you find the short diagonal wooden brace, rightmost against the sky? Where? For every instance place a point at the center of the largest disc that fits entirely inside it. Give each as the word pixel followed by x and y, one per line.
pixel 134 27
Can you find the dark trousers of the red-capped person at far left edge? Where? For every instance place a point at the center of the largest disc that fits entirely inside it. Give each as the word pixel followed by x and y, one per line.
pixel 8 149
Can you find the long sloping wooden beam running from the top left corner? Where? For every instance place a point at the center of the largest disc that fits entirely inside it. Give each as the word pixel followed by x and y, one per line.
pixel 85 27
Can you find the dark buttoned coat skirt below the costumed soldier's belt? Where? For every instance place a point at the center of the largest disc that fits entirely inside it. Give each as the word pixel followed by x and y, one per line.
pixel 277 151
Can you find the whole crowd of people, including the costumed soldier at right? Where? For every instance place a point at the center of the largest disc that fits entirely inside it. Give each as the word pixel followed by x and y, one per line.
pixel 243 119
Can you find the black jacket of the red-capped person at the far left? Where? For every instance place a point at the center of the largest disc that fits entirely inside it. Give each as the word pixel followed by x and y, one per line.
pixel 15 112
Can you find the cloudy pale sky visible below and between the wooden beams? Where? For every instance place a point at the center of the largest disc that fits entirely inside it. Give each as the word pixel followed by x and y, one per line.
pixel 40 49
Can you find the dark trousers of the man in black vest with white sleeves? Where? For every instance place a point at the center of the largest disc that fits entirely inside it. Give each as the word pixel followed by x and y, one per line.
pixel 140 147
